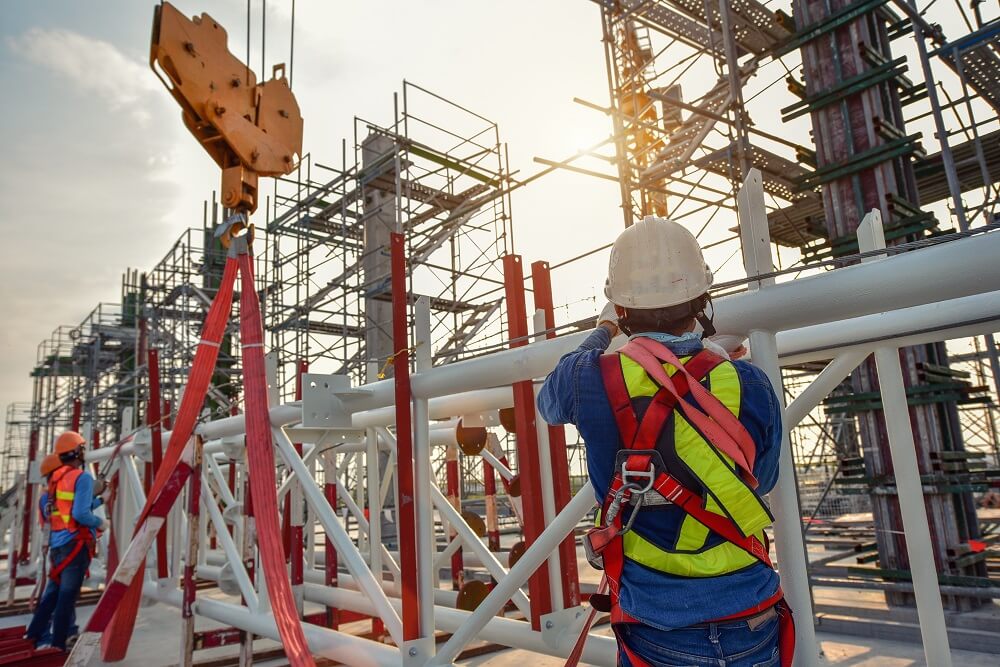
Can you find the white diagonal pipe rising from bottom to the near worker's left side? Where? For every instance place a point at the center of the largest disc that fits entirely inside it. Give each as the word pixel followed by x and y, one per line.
pixel 531 560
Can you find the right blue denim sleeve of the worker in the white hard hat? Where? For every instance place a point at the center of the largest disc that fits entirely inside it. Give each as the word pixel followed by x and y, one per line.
pixel 761 415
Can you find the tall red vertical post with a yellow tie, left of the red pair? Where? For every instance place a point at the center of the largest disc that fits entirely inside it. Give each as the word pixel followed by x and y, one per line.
pixel 407 527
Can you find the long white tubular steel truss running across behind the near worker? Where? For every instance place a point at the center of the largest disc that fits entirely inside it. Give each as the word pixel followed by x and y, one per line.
pixel 789 324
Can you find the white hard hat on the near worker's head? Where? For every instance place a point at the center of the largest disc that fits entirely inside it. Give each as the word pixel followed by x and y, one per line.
pixel 654 264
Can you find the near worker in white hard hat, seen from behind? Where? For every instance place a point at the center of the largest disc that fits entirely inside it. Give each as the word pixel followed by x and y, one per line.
pixel 682 444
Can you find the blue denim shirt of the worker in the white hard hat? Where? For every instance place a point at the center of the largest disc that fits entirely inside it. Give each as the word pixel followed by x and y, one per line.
pixel 573 393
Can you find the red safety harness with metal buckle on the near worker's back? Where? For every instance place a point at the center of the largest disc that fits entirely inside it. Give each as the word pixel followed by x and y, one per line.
pixel 640 470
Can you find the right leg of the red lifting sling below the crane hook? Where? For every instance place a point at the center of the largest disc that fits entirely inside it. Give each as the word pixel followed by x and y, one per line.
pixel 260 459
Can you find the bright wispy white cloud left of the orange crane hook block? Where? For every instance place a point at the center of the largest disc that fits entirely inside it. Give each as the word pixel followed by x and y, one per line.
pixel 92 66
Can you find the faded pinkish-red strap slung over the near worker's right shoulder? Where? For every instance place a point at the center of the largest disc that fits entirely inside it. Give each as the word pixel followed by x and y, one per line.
pixel 720 426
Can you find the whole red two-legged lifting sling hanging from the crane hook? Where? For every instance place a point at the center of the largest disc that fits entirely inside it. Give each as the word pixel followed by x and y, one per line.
pixel 117 608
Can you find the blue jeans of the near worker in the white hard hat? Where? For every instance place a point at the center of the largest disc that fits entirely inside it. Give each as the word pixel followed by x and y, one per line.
pixel 730 644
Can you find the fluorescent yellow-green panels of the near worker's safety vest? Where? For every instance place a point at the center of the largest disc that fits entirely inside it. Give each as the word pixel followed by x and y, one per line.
pixel 725 491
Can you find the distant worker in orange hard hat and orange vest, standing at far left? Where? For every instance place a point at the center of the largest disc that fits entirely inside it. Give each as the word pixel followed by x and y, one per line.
pixel 72 541
